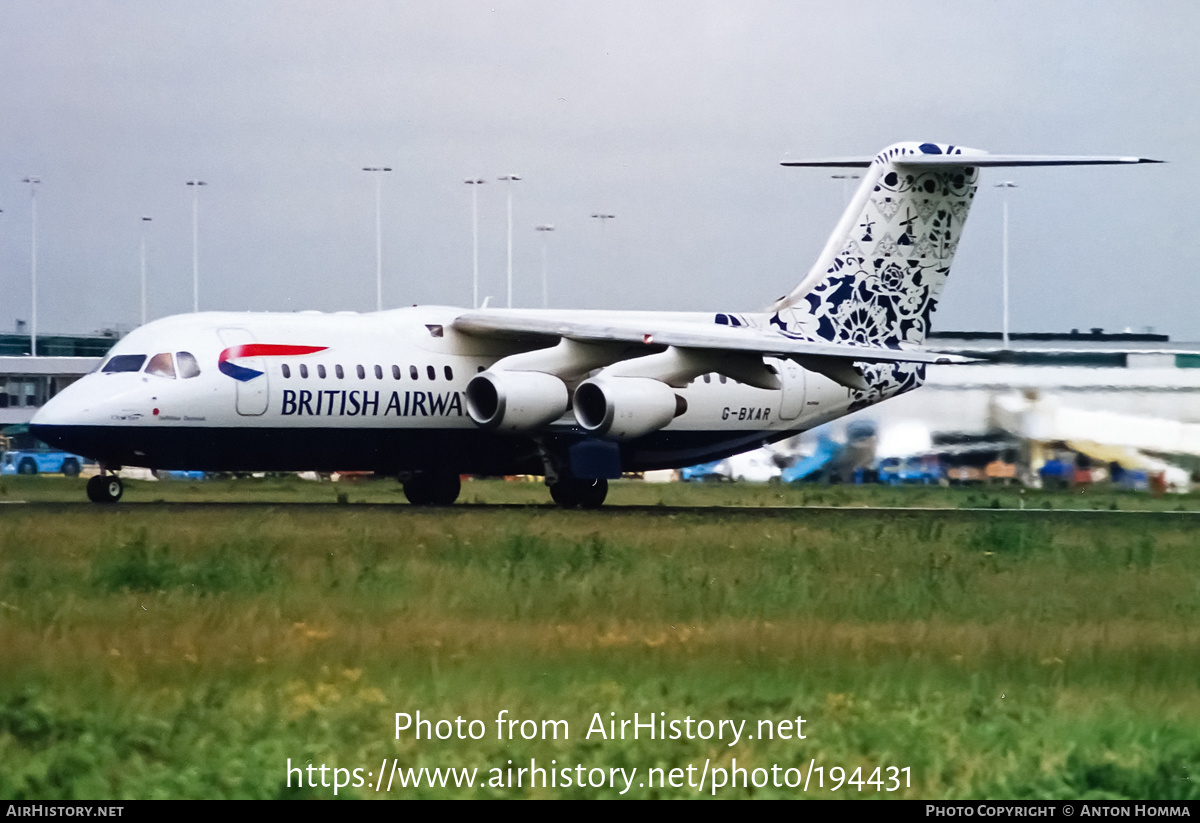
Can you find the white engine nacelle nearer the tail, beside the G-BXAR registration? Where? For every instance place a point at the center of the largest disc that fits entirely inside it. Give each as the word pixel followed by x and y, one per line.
pixel 626 407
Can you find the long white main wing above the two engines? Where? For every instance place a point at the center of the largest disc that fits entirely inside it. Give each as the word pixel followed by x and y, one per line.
pixel 668 333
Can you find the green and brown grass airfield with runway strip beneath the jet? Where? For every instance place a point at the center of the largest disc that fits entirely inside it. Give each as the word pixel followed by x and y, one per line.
pixel 979 652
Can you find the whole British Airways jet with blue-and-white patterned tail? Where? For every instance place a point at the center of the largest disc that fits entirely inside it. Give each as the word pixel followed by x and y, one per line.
pixel 431 393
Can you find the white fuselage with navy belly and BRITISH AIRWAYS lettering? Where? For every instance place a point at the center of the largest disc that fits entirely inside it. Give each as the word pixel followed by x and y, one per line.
pixel 382 392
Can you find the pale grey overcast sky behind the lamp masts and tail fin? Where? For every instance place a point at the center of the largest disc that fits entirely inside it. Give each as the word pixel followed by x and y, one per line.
pixel 674 117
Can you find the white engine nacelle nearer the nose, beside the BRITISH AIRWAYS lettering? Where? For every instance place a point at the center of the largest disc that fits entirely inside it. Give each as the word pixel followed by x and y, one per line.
pixel 515 401
